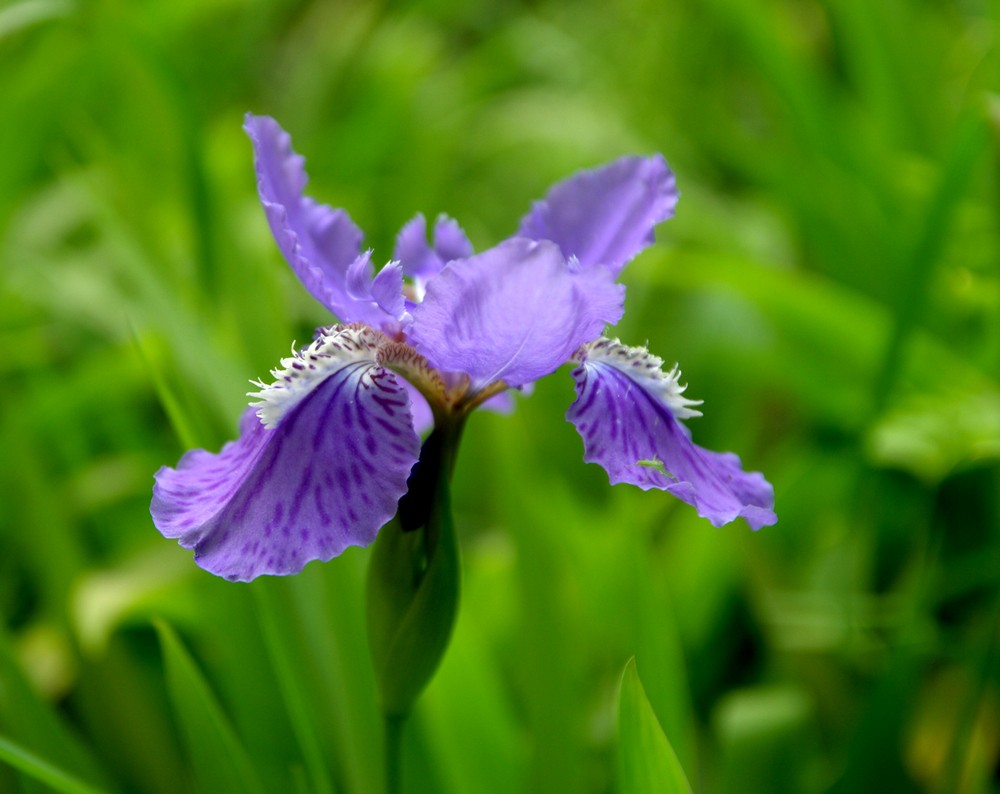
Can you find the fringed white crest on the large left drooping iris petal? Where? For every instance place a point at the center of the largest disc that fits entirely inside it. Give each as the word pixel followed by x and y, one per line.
pixel 333 348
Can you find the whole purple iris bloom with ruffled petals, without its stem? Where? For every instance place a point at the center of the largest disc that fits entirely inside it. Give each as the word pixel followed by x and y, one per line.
pixel 325 451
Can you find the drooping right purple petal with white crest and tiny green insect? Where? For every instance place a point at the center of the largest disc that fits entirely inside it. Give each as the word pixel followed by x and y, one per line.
pixel 628 410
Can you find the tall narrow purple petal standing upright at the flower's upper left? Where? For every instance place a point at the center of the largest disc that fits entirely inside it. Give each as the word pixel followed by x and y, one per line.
pixel 321 244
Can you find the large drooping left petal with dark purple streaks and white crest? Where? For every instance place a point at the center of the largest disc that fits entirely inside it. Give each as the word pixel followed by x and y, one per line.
pixel 319 468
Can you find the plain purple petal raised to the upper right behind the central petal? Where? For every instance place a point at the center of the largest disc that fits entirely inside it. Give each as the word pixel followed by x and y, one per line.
pixel 605 216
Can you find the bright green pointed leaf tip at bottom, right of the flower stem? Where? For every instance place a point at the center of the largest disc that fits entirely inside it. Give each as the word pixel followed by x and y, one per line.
pixel 646 761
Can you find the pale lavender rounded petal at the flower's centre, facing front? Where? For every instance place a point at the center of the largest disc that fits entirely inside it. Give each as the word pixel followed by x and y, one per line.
pixel 513 313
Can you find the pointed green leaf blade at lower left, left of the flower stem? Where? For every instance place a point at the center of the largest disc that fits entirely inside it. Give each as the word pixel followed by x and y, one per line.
pixel 219 760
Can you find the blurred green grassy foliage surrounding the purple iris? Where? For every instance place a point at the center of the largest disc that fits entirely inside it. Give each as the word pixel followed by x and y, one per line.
pixel 830 287
